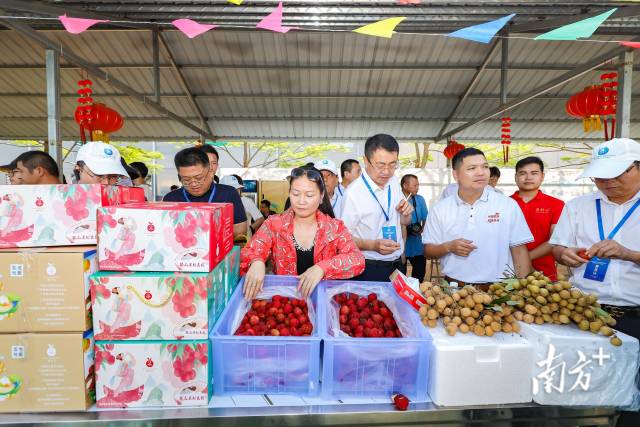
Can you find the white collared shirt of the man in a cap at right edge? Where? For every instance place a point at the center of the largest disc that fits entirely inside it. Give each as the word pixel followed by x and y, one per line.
pixel 578 228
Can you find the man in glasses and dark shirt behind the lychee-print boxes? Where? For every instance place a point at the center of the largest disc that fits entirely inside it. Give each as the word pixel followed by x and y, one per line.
pixel 196 175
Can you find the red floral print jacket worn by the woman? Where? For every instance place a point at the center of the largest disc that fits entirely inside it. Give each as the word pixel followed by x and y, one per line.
pixel 334 250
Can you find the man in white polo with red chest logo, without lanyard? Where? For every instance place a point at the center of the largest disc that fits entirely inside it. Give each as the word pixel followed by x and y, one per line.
pixel 478 234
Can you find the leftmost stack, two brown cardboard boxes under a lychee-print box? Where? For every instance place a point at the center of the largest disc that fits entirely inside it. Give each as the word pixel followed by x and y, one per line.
pixel 46 342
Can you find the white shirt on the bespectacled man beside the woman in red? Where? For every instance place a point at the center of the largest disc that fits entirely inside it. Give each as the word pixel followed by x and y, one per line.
pixel 363 217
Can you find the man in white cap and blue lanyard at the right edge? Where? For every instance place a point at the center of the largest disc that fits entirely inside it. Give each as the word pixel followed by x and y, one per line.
pixel 598 234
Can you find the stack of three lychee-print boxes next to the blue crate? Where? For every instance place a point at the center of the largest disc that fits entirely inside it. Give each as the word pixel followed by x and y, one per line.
pixel 161 287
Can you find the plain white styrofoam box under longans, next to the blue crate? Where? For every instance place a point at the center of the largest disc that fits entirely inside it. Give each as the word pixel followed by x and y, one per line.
pixel 470 370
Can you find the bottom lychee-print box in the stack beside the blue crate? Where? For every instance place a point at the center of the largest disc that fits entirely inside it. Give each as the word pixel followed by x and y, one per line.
pixel 152 374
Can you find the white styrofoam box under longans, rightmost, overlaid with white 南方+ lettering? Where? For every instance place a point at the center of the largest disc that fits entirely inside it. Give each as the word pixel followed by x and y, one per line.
pixel 608 375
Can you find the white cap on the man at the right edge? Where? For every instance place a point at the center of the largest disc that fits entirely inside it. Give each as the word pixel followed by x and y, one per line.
pixel 611 158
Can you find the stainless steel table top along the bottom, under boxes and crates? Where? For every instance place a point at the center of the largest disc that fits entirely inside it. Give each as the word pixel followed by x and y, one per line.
pixel 330 415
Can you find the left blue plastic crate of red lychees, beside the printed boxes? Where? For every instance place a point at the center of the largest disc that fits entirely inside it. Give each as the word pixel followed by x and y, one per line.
pixel 264 365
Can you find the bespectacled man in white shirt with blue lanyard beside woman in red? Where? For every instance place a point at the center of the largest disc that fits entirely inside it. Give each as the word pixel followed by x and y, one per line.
pixel 374 210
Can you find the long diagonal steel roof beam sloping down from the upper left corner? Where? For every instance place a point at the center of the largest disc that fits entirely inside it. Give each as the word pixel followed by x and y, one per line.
pixel 40 38
